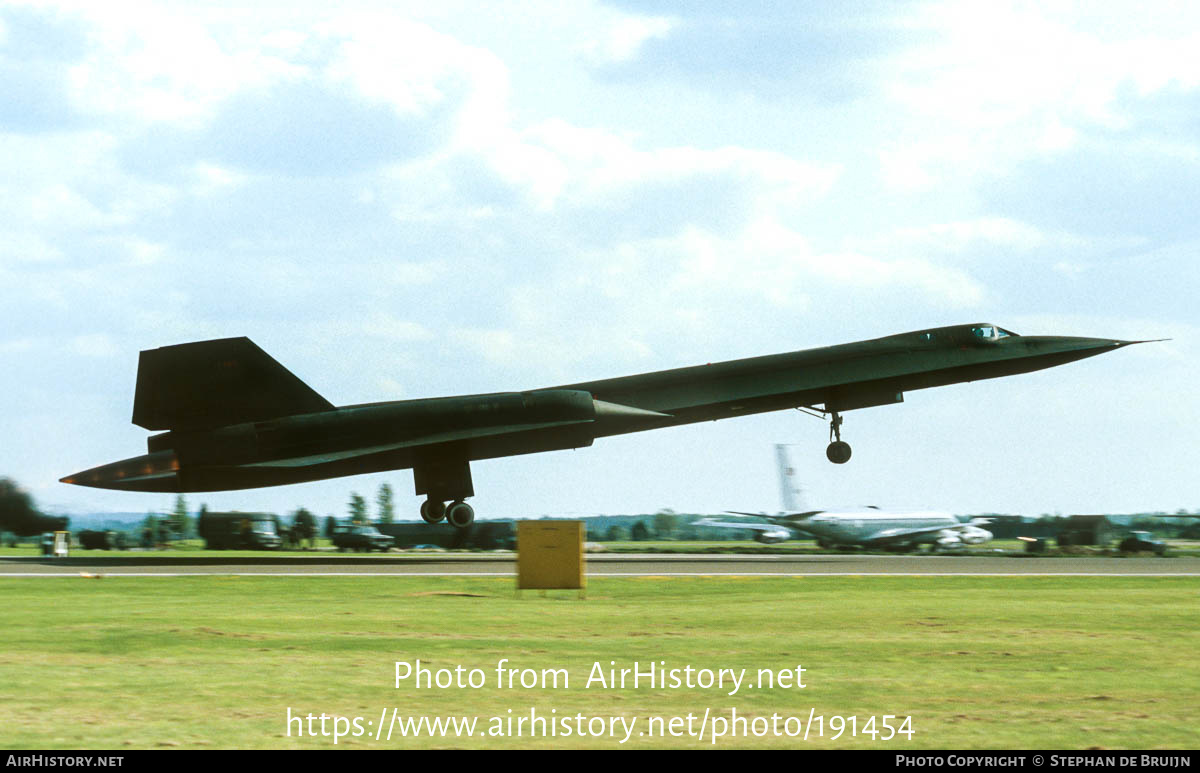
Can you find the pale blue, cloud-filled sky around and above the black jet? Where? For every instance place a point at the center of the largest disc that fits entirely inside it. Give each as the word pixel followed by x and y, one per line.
pixel 401 201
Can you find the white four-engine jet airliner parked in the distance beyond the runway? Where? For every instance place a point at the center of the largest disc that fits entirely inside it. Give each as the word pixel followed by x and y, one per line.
pixel 857 528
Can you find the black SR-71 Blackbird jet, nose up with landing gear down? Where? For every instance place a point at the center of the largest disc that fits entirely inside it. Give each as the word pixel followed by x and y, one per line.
pixel 235 418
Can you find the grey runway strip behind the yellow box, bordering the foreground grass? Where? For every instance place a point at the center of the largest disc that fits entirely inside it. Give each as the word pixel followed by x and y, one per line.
pixel 602 566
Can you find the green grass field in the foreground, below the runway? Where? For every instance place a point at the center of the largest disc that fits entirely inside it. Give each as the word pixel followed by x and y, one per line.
pixel 1013 663
